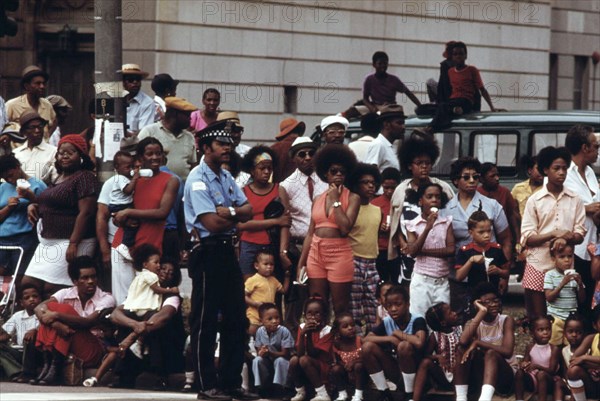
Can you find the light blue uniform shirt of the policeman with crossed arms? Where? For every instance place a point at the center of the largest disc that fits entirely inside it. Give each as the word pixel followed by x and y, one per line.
pixel 204 191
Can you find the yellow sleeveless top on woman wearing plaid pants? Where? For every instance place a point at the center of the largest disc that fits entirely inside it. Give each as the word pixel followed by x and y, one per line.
pixel 363 237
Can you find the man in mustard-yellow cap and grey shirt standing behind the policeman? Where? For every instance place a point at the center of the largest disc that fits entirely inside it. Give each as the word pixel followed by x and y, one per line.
pixel 177 141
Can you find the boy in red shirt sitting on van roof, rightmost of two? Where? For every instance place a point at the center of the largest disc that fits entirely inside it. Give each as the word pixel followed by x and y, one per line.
pixel 465 81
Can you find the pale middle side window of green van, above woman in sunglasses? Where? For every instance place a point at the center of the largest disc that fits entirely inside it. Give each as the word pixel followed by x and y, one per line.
pixel 498 147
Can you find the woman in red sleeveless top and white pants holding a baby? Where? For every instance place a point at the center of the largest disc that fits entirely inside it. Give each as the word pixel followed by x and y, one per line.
pixel 153 199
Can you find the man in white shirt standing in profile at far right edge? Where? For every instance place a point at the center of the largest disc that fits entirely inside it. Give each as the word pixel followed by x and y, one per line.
pixel 583 146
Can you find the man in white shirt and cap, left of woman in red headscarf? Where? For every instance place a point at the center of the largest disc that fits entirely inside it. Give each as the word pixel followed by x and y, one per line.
pixel 36 156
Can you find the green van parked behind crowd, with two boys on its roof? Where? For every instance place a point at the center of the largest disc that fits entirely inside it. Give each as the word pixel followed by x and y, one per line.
pixel 502 138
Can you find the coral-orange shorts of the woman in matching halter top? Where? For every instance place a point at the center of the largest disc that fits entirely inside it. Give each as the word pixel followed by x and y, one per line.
pixel 330 258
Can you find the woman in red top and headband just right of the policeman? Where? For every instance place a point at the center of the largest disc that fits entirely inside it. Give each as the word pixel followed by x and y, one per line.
pixel 259 163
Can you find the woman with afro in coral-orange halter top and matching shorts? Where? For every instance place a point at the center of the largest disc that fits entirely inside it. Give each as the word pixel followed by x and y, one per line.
pixel 326 253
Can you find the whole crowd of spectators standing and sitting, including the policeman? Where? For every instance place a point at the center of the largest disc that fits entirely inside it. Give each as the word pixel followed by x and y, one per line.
pixel 318 272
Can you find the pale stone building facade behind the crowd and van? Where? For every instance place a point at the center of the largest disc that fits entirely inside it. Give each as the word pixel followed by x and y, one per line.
pixel 271 59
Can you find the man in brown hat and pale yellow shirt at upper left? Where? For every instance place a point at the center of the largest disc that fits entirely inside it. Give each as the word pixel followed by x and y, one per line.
pixel 33 82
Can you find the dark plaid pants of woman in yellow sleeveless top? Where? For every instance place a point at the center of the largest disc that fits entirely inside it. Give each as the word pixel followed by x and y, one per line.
pixel 364 286
